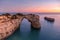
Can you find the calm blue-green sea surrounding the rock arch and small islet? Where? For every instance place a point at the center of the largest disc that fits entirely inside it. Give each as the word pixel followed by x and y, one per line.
pixel 48 31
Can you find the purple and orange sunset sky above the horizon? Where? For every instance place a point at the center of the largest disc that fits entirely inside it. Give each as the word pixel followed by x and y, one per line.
pixel 29 5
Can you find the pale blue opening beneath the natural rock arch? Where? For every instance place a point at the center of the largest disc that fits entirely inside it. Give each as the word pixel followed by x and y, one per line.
pixel 25 25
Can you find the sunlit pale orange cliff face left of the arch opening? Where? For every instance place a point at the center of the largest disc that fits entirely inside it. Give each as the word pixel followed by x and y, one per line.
pixel 9 25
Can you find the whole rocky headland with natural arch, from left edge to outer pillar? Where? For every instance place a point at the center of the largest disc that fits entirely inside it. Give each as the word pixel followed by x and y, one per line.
pixel 9 23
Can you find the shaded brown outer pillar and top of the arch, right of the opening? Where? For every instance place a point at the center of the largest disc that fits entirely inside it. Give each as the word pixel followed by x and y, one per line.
pixel 34 19
